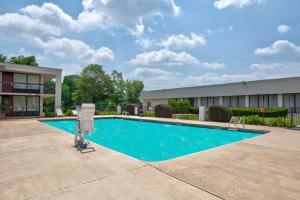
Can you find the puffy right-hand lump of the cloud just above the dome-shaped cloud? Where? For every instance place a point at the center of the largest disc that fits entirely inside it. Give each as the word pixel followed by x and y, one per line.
pixel 182 42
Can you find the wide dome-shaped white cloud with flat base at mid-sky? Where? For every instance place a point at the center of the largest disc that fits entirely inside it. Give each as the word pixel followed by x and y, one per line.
pixel 164 58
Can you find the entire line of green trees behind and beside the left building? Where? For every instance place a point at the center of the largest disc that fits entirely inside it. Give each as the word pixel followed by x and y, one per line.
pixel 92 85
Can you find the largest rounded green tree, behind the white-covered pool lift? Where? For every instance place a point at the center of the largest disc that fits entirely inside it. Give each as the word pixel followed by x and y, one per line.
pixel 94 85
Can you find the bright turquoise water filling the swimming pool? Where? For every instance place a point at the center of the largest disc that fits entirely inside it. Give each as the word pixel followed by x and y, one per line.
pixel 150 141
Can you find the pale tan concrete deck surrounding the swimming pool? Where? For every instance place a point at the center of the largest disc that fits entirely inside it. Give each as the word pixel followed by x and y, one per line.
pixel 38 162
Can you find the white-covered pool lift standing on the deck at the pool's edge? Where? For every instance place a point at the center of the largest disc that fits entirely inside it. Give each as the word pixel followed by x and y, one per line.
pixel 84 124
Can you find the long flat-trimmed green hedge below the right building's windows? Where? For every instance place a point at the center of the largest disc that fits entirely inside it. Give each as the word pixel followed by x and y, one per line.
pixel 269 112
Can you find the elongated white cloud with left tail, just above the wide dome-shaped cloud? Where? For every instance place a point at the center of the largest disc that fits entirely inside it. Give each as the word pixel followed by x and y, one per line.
pixel 179 41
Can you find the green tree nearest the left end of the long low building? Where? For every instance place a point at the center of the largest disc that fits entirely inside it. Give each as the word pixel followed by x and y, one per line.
pixel 133 90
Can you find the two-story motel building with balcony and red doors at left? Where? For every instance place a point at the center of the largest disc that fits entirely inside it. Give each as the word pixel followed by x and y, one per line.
pixel 22 88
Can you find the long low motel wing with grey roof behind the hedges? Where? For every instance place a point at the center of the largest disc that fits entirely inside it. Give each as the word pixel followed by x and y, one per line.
pixel 281 92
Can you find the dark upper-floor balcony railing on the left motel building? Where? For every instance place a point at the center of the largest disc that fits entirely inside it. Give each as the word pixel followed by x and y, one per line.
pixel 16 87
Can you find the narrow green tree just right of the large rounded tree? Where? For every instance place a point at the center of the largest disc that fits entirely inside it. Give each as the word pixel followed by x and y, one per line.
pixel 118 95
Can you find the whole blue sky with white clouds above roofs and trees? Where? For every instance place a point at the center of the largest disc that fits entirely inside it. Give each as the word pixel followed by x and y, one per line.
pixel 165 43
